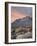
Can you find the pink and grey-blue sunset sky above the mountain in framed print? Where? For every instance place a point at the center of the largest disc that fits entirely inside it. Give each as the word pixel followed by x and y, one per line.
pixel 20 12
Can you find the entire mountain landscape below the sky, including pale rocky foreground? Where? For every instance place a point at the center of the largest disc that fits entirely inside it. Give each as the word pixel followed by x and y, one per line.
pixel 21 27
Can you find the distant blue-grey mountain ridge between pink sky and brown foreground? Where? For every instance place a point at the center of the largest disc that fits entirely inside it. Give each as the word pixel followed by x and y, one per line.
pixel 25 21
